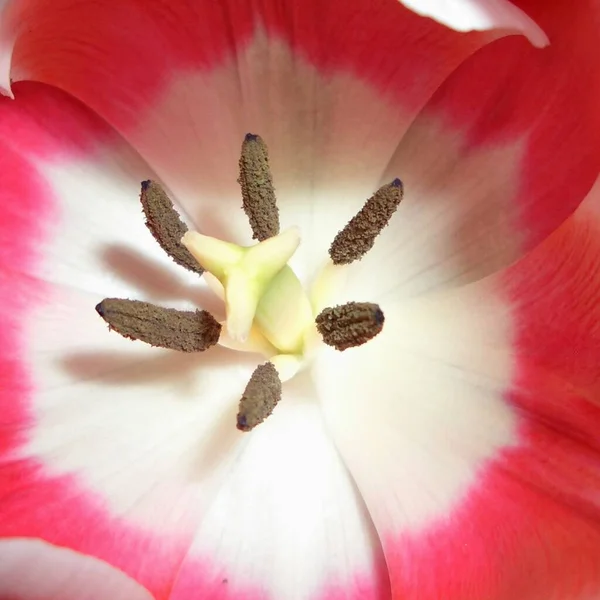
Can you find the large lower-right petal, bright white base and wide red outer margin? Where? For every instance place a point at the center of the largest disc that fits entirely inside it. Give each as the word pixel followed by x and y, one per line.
pixel 484 486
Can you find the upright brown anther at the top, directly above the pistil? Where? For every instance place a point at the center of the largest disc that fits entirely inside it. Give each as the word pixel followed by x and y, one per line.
pixel 258 193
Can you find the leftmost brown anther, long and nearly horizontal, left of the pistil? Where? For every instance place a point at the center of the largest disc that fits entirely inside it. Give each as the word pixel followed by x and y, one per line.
pixel 185 331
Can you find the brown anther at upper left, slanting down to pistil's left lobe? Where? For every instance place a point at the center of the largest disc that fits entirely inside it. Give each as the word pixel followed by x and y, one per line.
pixel 166 226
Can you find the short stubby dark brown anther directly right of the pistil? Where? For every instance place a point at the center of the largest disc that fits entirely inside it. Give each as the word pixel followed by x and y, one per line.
pixel 350 325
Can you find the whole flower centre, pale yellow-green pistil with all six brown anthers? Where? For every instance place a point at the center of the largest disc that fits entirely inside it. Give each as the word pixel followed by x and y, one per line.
pixel 267 309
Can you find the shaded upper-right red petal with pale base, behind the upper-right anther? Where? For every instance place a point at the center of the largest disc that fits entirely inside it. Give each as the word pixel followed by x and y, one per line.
pixel 518 142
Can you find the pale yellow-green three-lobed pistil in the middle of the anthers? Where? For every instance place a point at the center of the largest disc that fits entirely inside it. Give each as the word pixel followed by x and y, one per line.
pixel 266 306
